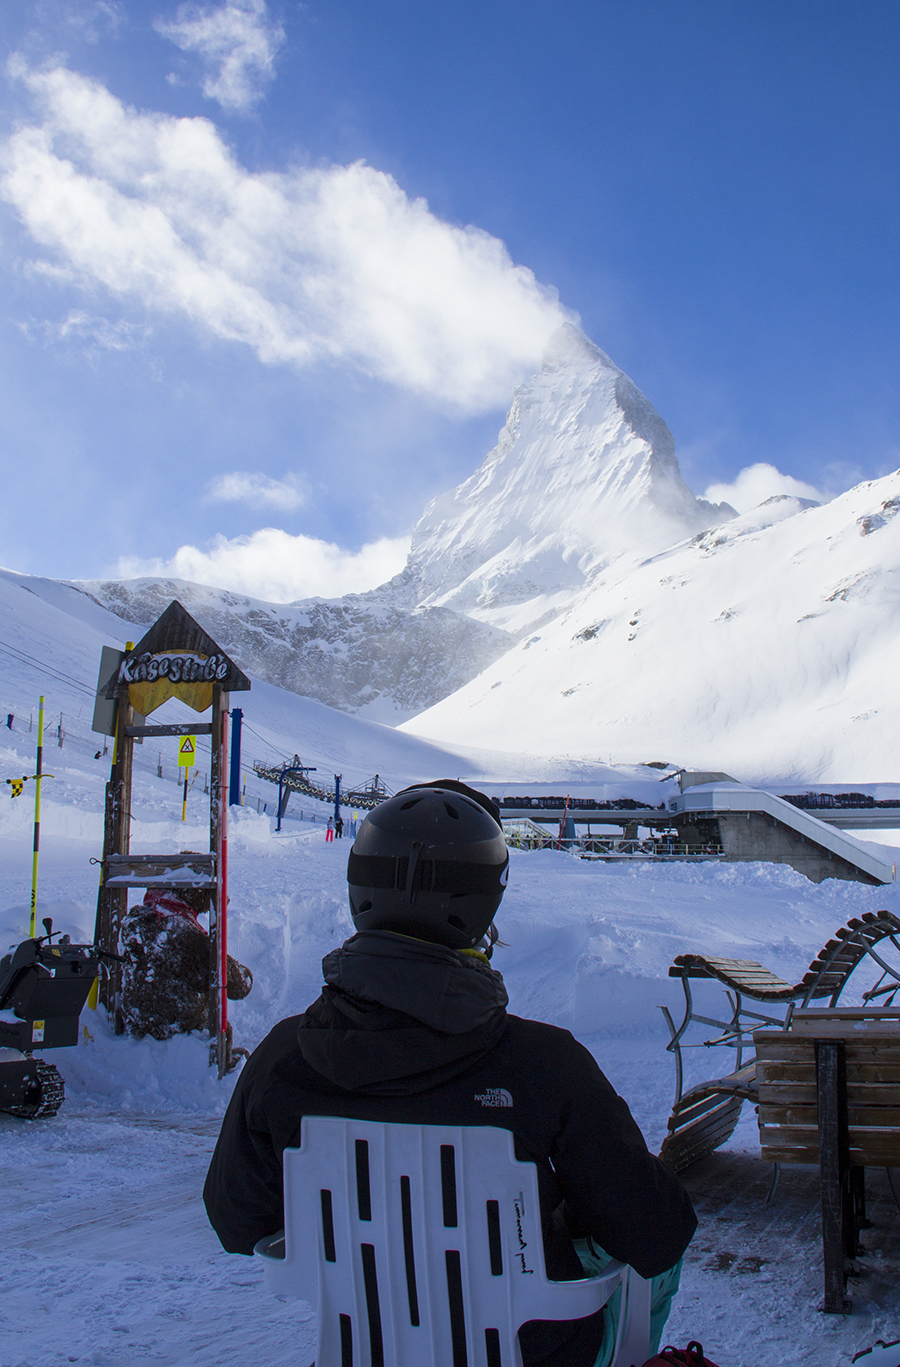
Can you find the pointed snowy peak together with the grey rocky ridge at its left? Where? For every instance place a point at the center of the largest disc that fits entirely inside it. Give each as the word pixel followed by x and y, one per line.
pixel 585 474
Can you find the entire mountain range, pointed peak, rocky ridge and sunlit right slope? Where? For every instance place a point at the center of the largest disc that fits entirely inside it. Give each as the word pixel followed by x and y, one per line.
pixel 575 598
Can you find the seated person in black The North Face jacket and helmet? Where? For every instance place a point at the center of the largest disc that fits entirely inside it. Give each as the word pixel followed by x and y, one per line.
pixel 412 1027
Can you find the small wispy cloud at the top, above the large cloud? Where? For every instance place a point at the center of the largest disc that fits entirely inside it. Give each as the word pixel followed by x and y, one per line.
pixel 237 43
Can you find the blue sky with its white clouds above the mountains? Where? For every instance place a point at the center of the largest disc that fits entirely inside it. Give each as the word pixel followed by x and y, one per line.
pixel 226 308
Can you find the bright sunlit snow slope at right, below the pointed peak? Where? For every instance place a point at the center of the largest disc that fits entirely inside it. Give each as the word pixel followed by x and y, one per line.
pixel 760 650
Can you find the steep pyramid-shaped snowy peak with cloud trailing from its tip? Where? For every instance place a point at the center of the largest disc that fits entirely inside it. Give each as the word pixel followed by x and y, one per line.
pixel 583 472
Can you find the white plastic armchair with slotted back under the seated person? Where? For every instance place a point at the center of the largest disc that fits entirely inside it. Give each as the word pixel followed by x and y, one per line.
pixel 421 1246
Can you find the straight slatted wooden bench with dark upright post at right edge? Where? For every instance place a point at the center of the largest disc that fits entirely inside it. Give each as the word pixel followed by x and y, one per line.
pixel 830 1094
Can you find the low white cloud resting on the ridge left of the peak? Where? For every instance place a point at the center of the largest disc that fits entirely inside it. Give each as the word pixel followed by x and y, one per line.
pixel 277 567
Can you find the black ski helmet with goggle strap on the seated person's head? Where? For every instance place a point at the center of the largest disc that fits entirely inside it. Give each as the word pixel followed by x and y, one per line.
pixel 430 862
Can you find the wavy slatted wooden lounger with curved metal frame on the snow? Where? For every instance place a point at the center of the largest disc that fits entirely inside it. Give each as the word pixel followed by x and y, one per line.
pixel 704 1118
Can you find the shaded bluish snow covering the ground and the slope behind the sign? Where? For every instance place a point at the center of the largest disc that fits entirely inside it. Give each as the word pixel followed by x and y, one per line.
pixel 106 1253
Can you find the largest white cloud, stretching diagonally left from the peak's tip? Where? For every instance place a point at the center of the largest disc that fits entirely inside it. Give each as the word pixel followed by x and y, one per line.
pixel 306 266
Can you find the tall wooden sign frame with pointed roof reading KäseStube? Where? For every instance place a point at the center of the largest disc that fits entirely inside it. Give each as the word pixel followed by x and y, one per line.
pixel 174 660
